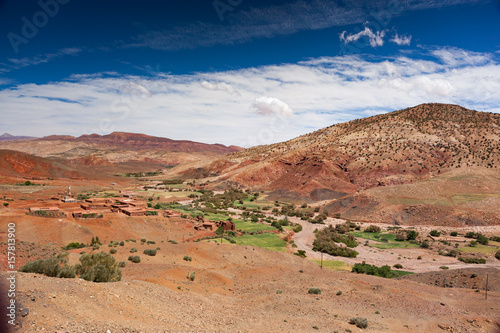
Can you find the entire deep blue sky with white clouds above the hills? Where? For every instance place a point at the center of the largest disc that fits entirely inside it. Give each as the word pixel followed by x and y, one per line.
pixel 238 71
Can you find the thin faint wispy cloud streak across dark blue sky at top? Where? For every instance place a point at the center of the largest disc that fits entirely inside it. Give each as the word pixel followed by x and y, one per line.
pixel 272 21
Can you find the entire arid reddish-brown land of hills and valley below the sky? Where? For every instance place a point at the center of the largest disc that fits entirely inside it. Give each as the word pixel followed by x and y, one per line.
pixel 234 232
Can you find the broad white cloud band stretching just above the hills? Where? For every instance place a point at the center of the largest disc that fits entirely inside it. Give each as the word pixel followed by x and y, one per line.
pixel 320 91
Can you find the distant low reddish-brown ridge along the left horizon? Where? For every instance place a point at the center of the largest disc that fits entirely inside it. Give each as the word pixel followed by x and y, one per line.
pixel 119 147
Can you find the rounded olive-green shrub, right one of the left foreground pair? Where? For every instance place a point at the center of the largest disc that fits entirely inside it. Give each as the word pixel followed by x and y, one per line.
pixel 98 267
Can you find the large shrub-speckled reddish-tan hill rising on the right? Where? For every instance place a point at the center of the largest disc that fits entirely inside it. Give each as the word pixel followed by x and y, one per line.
pixel 346 160
